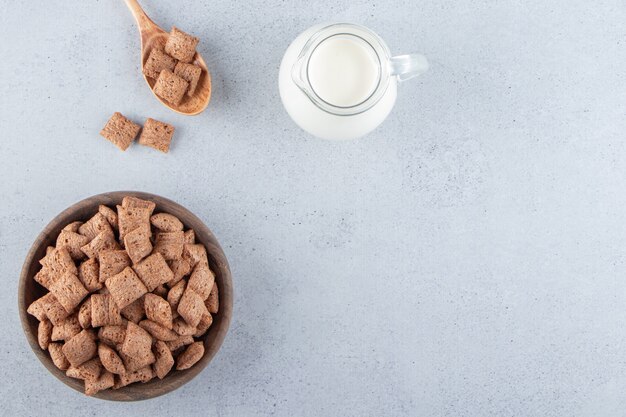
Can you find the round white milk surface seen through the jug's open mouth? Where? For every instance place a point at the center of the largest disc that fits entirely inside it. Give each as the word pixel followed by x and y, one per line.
pixel 344 71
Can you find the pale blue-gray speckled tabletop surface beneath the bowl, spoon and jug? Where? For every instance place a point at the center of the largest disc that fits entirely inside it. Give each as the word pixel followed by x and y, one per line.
pixel 467 258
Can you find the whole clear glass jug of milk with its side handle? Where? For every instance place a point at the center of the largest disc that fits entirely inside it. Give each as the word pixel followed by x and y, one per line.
pixel 339 81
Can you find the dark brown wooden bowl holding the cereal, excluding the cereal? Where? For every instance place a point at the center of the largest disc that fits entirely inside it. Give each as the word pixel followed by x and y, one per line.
pixel 29 291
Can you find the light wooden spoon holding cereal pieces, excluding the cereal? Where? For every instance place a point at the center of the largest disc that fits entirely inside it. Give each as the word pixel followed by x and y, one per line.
pixel 153 36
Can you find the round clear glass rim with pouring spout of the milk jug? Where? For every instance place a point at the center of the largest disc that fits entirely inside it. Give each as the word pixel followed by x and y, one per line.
pixel 379 47
